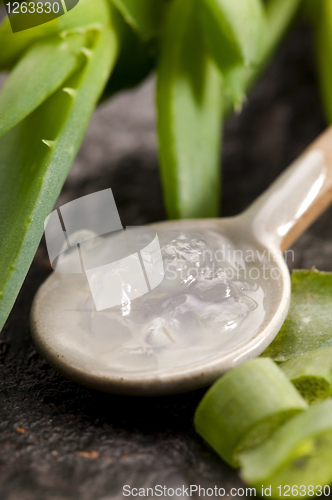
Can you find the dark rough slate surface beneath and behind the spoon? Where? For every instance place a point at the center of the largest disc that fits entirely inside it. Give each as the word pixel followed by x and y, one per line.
pixel 61 441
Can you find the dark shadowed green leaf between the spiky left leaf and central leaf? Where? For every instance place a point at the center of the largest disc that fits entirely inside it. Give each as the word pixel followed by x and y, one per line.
pixel 135 60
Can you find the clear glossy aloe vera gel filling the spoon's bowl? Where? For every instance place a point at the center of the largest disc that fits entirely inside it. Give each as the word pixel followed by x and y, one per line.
pixel 206 304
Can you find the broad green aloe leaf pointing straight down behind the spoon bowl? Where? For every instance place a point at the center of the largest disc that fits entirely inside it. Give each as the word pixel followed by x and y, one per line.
pixel 189 106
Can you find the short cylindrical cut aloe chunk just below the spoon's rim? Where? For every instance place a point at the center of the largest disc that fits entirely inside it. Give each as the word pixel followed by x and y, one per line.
pixel 245 407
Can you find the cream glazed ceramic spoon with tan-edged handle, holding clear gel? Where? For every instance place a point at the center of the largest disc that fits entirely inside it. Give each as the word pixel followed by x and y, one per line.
pixel 269 226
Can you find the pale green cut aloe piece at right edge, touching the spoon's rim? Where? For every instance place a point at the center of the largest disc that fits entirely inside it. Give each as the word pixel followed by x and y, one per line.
pixel 308 324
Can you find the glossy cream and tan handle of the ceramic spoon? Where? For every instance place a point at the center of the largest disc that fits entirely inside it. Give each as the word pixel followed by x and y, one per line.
pixel 296 199
